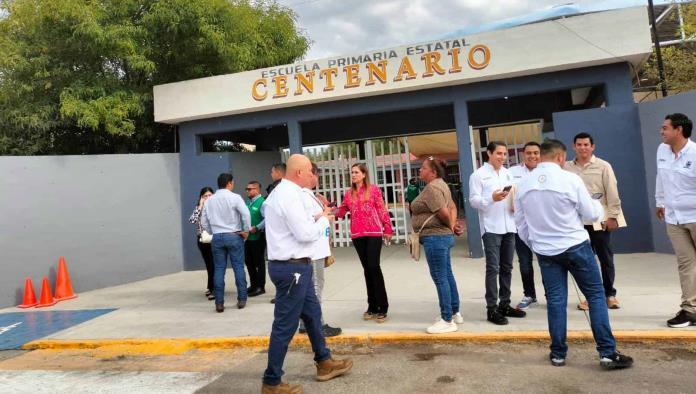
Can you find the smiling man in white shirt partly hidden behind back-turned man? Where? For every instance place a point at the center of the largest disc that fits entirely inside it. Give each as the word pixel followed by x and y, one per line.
pixel 532 151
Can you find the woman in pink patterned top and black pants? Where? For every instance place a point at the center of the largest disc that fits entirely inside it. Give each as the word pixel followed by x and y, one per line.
pixel 369 224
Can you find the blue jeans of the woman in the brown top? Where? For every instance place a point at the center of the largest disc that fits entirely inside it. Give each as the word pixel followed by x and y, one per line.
pixel 437 253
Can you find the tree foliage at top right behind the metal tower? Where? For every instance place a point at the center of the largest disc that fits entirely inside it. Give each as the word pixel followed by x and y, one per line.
pixel 679 60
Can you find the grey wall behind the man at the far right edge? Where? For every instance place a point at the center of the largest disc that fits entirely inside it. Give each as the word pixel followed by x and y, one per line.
pixel 652 113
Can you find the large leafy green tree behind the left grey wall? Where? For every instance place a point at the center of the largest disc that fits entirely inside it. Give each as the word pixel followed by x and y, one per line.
pixel 76 76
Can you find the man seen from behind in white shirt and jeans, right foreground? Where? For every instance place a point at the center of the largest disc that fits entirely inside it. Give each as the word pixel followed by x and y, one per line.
pixel 550 207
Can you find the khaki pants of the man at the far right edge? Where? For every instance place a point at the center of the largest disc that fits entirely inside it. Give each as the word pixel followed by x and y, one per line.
pixel 683 237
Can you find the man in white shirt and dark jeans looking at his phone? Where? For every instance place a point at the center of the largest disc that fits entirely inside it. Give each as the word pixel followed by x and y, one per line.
pixel 489 187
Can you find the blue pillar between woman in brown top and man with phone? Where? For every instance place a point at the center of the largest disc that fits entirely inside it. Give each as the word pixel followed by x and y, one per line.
pixel 466 168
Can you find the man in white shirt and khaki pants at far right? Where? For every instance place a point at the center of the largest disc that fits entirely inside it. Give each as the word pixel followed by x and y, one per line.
pixel 675 197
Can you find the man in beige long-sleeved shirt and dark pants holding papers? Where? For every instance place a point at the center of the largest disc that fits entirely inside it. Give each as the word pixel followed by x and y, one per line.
pixel 600 181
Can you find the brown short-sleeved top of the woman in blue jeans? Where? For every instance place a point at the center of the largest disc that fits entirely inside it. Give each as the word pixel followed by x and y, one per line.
pixel 435 196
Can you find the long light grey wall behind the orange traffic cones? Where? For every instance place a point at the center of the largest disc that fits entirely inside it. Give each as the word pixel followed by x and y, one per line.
pixel 115 218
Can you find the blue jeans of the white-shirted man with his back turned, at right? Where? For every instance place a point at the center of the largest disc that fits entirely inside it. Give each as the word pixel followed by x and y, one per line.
pixel 579 260
